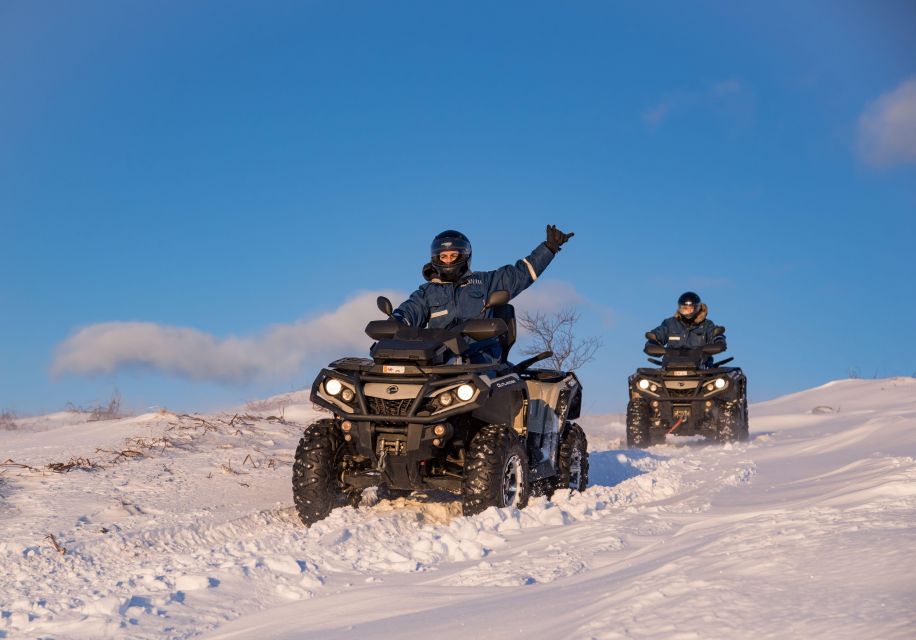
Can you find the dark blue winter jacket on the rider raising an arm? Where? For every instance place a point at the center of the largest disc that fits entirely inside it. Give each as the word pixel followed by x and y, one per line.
pixel 440 304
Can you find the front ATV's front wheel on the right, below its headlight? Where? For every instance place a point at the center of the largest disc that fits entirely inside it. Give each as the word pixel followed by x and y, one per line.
pixel 496 471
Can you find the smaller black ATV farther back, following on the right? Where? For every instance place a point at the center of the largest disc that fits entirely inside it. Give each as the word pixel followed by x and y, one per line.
pixel 686 397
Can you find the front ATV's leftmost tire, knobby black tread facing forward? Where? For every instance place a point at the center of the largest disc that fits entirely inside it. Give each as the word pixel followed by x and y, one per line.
pixel 316 489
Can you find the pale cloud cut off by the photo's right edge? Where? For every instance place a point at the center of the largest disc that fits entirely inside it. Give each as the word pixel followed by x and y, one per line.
pixel 887 127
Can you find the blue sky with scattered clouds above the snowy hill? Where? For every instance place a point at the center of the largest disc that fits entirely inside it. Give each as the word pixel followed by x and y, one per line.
pixel 198 200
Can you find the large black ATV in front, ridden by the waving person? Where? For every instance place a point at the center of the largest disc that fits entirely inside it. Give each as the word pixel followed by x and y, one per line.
pixel 418 416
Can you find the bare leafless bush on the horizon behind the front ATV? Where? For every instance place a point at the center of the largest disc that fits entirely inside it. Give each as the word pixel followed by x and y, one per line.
pixel 556 333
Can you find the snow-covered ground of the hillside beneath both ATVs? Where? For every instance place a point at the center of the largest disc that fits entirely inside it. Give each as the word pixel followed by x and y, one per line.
pixel 180 526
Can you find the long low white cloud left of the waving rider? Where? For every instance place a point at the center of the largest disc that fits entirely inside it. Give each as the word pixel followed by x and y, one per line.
pixel 190 353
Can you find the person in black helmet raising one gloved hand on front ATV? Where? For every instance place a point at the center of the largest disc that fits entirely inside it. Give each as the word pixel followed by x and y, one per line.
pixel 453 293
